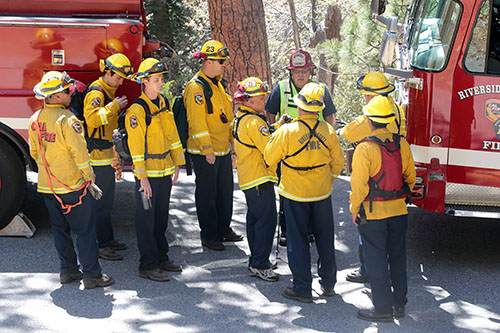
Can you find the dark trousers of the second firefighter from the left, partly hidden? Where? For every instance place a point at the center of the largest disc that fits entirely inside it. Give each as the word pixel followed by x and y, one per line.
pixel 105 179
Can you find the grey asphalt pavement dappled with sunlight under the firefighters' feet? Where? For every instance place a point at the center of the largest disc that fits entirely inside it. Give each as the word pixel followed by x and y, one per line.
pixel 453 269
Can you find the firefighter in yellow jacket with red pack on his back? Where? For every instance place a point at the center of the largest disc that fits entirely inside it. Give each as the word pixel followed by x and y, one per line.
pixel 382 177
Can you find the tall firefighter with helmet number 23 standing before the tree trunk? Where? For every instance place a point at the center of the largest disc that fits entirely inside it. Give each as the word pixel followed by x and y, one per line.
pixel 210 121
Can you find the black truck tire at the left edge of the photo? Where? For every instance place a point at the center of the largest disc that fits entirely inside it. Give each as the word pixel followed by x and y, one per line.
pixel 12 183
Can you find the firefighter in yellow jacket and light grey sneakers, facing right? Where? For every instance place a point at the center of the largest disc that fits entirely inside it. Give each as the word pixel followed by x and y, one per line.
pixel 256 179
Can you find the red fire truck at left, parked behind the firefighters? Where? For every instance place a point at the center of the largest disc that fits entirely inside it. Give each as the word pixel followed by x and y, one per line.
pixel 43 35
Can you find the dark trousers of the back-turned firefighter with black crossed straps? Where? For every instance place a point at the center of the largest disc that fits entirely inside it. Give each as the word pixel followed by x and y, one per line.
pixel 317 216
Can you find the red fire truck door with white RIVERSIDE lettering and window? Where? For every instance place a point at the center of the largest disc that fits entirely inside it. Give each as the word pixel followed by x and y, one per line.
pixel 474 152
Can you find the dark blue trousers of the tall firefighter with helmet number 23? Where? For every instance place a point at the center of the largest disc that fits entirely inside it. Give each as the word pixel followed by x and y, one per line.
pixel 214 195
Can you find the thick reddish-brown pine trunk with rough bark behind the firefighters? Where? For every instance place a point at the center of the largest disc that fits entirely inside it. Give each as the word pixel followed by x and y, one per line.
pixel 240 25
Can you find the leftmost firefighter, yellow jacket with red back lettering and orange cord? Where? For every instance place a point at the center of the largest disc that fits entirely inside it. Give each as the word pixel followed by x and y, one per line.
pixel 65 175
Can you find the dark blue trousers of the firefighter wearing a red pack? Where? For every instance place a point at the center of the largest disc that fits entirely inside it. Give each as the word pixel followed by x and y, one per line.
pixel 384 245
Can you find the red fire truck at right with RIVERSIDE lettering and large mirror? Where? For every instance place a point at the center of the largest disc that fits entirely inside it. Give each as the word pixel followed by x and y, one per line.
pixel 449 72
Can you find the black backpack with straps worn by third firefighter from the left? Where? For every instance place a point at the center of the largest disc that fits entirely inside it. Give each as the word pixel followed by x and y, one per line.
pixel 120 138
